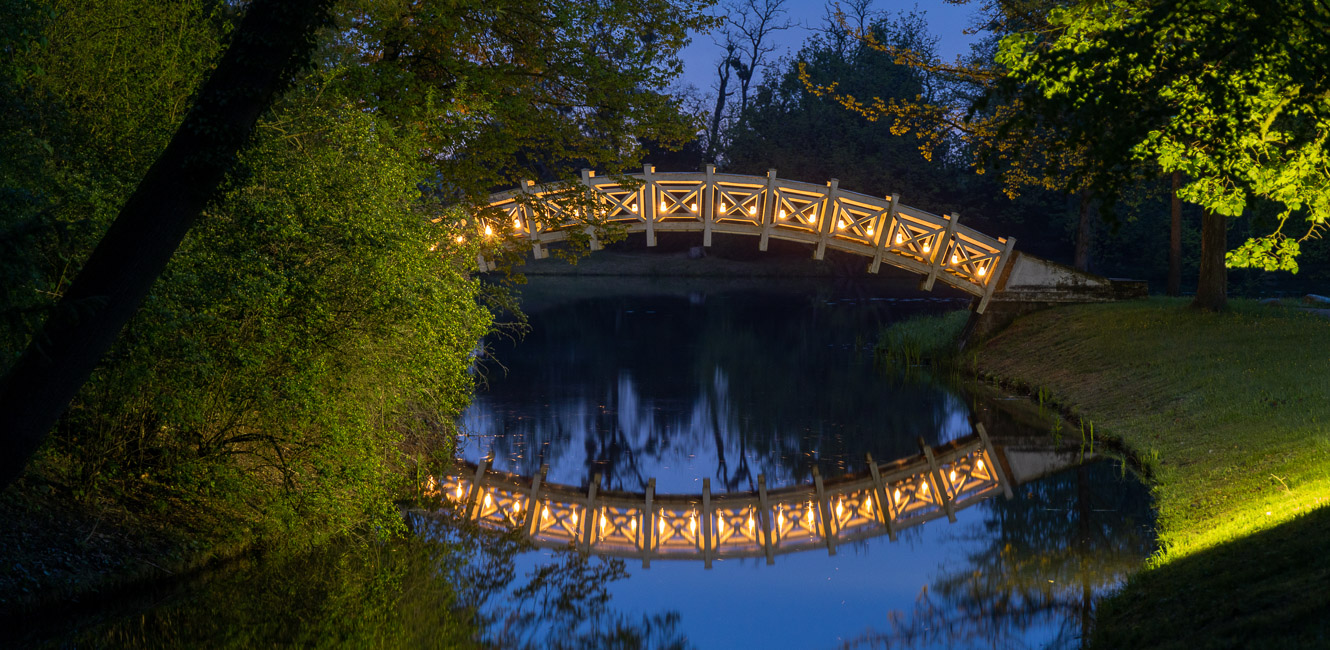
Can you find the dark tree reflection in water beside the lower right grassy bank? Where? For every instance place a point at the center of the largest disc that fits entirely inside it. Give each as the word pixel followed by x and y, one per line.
pixel 1043 560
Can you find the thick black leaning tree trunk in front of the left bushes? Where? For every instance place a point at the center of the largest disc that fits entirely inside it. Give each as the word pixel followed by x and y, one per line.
pixel 272 43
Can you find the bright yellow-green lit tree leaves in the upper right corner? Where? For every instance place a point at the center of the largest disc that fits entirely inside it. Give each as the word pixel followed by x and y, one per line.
pixel 1232 95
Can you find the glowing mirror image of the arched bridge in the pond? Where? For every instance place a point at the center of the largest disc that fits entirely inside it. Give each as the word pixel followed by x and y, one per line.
pixel 884 500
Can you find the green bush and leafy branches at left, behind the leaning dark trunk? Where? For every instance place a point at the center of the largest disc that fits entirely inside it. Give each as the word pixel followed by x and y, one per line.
pixel 313 336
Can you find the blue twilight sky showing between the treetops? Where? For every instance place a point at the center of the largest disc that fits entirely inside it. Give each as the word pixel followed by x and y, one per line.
pixel 948 22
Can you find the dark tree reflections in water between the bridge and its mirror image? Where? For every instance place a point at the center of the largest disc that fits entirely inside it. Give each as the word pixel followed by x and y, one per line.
pixel 761 385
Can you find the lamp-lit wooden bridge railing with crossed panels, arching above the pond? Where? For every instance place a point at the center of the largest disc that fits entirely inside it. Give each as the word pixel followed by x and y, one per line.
pixel 827 216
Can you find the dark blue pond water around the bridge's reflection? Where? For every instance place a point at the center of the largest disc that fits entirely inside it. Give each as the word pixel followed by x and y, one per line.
pixel 683 382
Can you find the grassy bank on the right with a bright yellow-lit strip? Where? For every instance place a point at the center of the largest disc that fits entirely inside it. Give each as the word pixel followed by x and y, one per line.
pixel 1231 414
